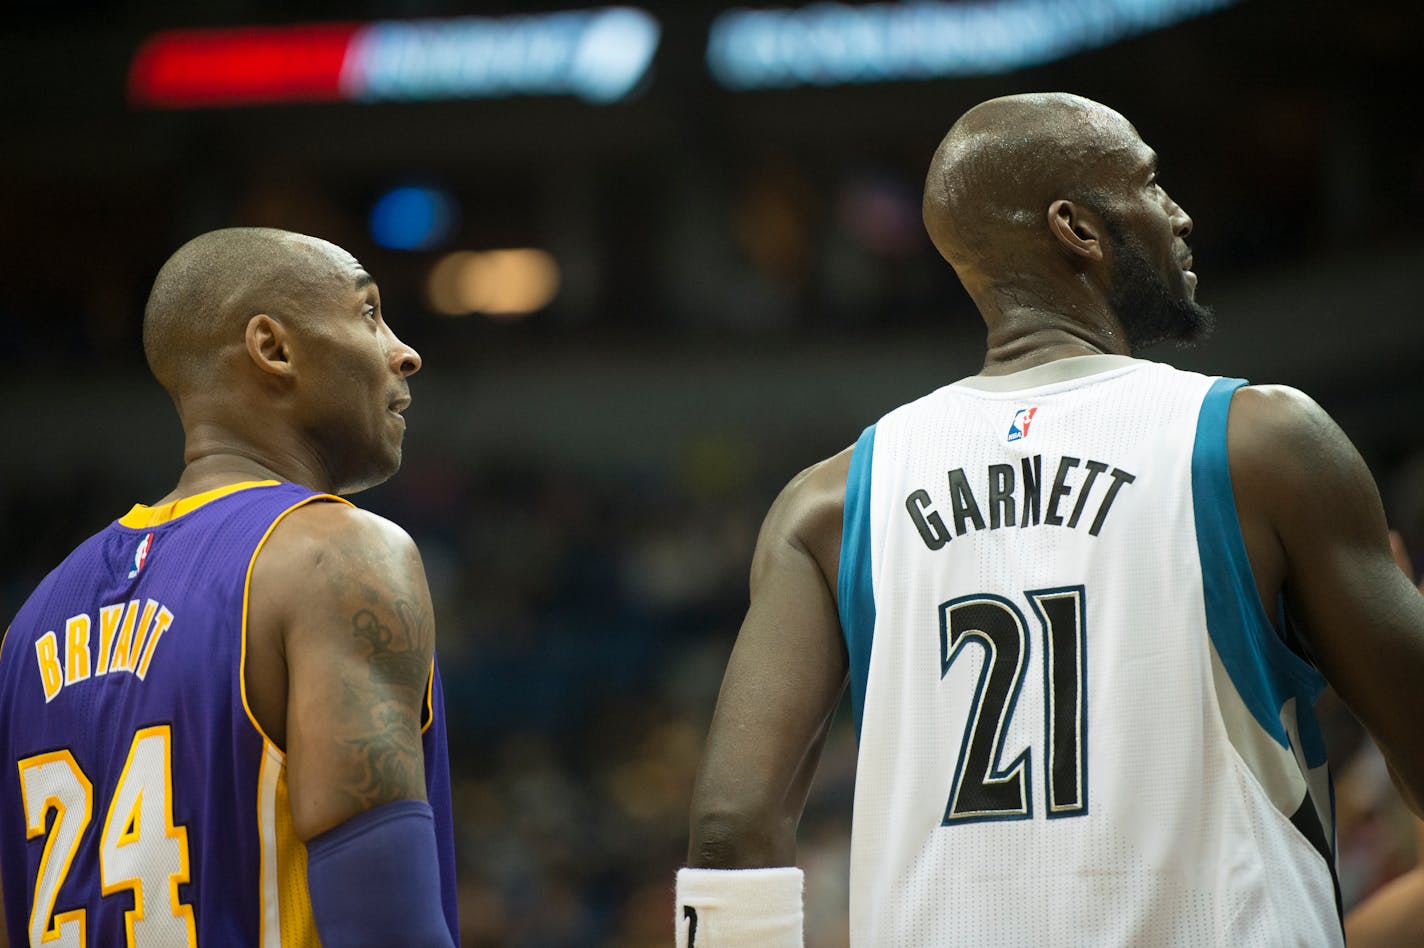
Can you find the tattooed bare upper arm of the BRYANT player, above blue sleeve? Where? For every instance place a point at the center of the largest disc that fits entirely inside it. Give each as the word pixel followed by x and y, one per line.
pixel 344 600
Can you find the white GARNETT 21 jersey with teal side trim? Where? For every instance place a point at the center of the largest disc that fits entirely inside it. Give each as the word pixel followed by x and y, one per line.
pixel 1077 724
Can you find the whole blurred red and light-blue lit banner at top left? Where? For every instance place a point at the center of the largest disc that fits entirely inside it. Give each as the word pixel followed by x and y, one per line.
pixel 599 56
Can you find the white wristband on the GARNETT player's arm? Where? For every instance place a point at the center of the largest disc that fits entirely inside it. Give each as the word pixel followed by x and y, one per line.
pixel 740 909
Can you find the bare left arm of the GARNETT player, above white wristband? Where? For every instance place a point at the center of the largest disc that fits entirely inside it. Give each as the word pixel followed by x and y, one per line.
pixel 782 684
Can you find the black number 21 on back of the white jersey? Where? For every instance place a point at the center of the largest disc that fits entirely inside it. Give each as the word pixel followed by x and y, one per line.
pixel 982 788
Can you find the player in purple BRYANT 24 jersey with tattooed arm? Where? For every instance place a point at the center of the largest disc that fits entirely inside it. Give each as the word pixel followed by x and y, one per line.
pixel 220 717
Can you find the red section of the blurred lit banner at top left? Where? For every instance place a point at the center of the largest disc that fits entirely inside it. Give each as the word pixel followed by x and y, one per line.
pixel 183 69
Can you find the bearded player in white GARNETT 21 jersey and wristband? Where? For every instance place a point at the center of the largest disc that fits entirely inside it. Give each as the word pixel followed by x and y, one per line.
pixel 1060 593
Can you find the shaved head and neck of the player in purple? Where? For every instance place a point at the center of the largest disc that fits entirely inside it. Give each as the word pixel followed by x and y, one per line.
pixel 277 354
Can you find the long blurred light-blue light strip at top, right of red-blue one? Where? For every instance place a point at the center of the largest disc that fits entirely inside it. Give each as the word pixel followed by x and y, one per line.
pixel 835 43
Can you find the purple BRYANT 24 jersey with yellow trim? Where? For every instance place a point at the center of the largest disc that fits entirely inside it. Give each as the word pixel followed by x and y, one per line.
pixel 140 804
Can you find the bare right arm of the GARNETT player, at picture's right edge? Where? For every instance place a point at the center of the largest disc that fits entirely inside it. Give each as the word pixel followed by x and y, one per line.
pixel 1315 530
